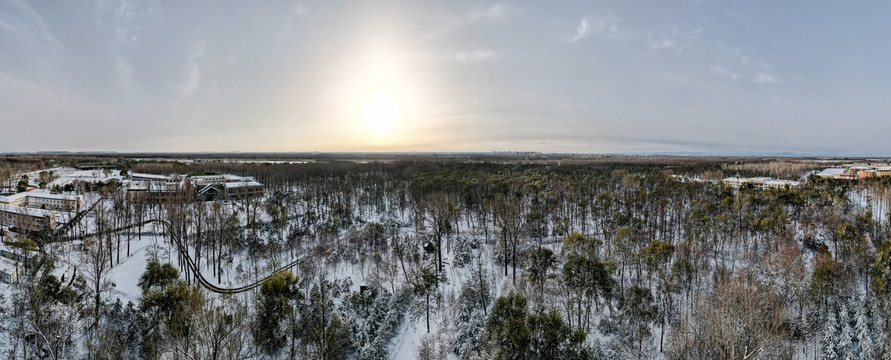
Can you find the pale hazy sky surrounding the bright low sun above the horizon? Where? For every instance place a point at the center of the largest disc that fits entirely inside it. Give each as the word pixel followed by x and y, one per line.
pixel 737 77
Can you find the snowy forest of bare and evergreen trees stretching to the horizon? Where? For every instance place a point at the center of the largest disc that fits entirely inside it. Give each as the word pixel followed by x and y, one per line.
pixel 419 258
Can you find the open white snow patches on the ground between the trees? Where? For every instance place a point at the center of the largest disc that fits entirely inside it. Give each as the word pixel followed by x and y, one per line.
pixel 412 332
